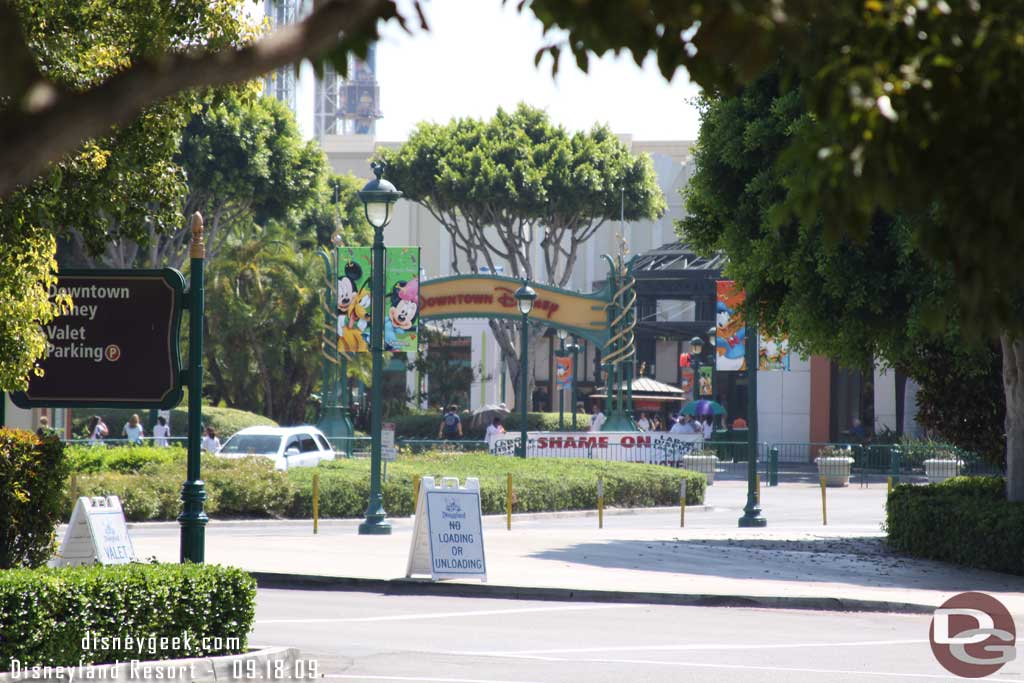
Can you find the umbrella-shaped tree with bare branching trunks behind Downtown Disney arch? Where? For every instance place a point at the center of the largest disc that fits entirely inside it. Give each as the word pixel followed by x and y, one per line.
pixel 500 186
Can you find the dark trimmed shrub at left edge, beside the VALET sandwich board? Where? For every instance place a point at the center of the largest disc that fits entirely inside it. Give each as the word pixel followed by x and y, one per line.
pixel 33 473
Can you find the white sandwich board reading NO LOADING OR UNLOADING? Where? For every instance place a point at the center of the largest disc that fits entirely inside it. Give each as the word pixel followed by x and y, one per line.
pixel 448 538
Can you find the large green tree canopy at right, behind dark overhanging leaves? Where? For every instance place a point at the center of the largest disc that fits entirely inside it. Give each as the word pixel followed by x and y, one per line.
pixel 849 300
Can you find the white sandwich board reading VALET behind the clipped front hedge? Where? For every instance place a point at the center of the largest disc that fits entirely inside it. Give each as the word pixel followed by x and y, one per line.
pixel 97 533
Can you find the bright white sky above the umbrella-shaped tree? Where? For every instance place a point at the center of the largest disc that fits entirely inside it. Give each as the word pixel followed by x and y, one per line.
pixel 479 56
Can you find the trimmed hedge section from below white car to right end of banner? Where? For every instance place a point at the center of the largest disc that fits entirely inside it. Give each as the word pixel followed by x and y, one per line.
pixel 540 485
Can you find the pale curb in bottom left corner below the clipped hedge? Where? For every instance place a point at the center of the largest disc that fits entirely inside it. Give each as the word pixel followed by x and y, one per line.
pixel 198 670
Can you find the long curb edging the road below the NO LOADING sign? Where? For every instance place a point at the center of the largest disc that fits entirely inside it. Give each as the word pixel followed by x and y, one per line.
pixel 428 587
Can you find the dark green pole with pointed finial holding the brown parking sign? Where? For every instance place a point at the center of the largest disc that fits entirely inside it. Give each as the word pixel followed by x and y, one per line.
pixel 193 519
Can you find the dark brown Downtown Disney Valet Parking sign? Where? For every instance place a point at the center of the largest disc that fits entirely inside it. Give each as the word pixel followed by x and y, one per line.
pixel 118 347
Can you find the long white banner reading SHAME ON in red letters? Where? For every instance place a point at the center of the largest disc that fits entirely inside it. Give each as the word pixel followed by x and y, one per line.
pixel 653 448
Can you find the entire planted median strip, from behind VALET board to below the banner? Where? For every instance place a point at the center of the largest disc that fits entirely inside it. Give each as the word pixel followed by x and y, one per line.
pixel 250 488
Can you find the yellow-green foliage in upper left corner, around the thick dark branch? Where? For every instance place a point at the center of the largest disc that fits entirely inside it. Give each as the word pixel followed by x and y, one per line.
pixel 111 188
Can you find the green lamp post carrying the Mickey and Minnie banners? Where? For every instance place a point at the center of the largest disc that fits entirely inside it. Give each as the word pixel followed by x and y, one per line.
pixel 378 198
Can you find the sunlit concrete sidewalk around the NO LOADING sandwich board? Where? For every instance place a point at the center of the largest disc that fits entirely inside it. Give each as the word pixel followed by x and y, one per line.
pixel 638 556
